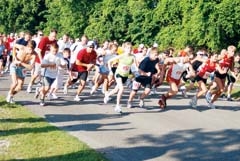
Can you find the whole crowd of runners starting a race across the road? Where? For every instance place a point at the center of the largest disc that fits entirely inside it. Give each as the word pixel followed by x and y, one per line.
pixel 115 67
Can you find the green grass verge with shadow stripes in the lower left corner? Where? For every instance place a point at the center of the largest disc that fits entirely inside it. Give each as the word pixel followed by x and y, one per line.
pixel 24 136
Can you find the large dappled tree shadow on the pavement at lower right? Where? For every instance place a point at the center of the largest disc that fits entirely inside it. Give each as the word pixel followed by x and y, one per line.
pixel 182 145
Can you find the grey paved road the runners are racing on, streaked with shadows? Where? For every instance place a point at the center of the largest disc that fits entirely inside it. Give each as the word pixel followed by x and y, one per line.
pixel 178 133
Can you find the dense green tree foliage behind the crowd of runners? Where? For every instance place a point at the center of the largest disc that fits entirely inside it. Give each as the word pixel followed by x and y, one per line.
pixel 210 23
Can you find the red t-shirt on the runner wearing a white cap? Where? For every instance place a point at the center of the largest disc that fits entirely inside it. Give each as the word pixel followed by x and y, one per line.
pixel 84 57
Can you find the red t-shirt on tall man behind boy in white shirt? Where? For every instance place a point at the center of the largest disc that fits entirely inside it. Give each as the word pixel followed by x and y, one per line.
pixel 44 45
